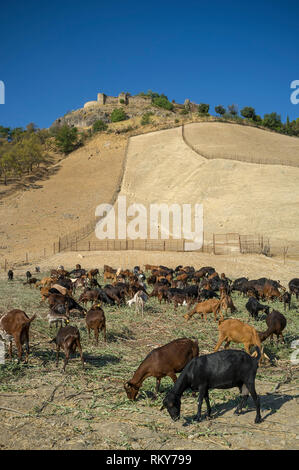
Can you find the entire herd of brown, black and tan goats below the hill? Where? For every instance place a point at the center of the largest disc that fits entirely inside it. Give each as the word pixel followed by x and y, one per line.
pixel 203 291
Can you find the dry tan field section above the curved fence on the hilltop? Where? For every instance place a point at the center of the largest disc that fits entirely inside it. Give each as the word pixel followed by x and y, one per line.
pixel 243 143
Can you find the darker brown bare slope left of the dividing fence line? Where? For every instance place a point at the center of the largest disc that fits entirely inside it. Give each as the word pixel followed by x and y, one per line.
pixel 31 220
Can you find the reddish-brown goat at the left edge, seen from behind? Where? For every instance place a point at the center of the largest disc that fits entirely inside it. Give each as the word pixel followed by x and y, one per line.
pixel 15 325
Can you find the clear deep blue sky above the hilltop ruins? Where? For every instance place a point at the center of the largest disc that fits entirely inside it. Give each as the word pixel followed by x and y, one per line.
pixel 54 56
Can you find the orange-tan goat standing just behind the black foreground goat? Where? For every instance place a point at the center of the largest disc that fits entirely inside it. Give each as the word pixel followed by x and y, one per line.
pixel 232 329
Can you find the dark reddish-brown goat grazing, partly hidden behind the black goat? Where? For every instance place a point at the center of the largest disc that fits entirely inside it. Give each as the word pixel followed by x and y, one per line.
pixel 161 362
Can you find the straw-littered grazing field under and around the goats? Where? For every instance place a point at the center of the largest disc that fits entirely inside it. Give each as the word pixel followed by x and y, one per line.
pixel 42 408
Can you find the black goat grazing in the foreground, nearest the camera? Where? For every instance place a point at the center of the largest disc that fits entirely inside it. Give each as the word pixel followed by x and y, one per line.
pixel 222 370
